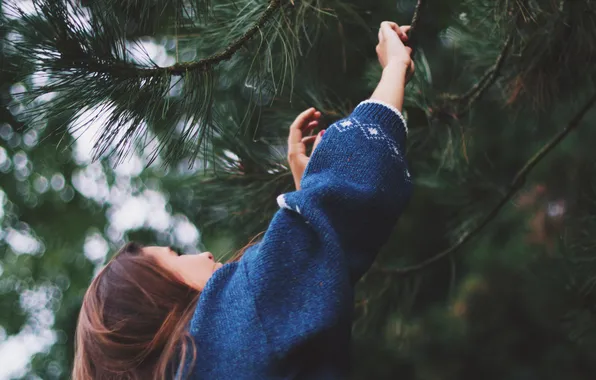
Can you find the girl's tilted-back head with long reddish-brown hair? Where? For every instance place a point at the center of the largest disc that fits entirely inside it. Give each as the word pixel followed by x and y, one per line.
pixel 134 317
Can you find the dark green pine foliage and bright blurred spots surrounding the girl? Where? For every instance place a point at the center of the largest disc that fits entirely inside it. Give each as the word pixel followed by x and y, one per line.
pixel 113 129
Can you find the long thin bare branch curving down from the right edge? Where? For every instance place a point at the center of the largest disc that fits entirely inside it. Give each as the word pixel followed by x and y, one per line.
pixel 517 184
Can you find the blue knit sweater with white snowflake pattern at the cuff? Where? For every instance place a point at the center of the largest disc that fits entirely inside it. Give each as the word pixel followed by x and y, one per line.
pixel 284 311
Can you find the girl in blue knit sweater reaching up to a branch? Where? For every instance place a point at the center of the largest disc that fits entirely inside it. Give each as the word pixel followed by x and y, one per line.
pixel 283 310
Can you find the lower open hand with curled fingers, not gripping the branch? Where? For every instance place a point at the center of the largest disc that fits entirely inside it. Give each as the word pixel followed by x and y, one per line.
pixel 300 135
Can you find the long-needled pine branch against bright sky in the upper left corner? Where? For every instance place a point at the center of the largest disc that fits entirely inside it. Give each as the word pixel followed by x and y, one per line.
pixel 131 98
